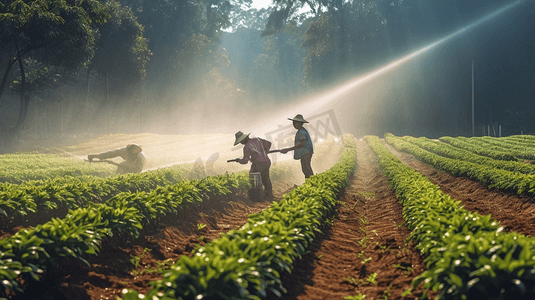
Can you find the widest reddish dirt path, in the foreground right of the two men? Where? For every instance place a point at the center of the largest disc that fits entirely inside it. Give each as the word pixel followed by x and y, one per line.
pixel 366 238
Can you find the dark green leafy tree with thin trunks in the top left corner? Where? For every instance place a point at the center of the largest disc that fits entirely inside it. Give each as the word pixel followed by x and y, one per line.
pixel 54 32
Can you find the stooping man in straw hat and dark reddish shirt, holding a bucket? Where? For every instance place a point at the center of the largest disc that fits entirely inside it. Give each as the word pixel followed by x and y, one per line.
pixel 256 150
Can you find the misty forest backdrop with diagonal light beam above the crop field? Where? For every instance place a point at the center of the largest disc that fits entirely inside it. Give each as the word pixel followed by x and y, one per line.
pixel 205 67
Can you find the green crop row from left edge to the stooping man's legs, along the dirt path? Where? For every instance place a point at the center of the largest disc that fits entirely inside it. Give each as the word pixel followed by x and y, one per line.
pixel 31 251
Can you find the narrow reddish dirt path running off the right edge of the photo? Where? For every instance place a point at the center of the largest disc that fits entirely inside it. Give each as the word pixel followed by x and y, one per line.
pixel 515 213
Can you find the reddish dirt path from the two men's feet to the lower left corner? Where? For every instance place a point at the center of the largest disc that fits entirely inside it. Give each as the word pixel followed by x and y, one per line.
pixel 113 270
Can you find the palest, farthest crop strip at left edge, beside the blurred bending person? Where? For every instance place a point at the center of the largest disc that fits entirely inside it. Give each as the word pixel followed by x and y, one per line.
pixel 18 168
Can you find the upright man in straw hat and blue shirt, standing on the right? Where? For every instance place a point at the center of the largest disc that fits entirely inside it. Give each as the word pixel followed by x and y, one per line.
pixel 302 148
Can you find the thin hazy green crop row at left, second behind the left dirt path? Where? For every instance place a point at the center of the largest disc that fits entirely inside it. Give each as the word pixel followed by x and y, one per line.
pixel 74 192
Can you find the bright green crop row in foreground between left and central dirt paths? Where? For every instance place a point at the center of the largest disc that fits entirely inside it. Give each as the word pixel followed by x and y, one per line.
pixel 247 263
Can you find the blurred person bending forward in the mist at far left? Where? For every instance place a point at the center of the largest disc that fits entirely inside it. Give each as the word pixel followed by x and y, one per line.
pixel 134 159
